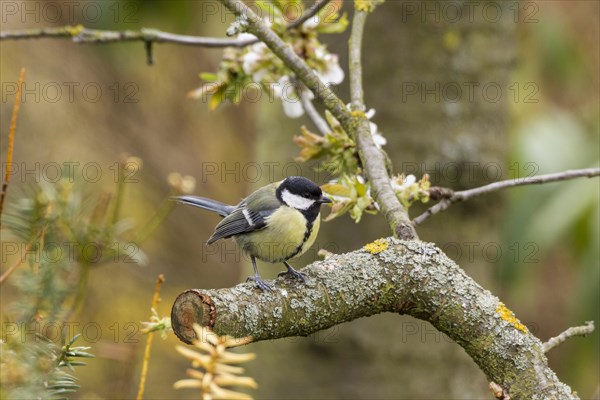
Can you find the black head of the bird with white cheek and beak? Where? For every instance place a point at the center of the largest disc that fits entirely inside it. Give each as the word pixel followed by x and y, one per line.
pixel 300 193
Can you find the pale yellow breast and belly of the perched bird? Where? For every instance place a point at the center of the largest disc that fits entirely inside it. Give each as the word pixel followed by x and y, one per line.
pixel 282 239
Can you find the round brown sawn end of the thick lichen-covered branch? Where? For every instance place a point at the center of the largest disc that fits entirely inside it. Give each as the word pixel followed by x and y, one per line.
pixel 191 307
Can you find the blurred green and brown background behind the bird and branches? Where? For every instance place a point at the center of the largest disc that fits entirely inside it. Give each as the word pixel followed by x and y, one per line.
pixel 537 248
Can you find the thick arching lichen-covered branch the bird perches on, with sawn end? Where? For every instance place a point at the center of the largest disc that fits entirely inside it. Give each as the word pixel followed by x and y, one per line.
pixel 405 277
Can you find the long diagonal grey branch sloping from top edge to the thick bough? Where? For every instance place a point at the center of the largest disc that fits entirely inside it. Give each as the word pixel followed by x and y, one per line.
pixel 355 123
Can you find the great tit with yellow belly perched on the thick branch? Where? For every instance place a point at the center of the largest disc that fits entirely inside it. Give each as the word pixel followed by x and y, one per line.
pixel 277 222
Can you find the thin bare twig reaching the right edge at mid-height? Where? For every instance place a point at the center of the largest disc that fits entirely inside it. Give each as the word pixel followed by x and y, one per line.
pixel 450 197
